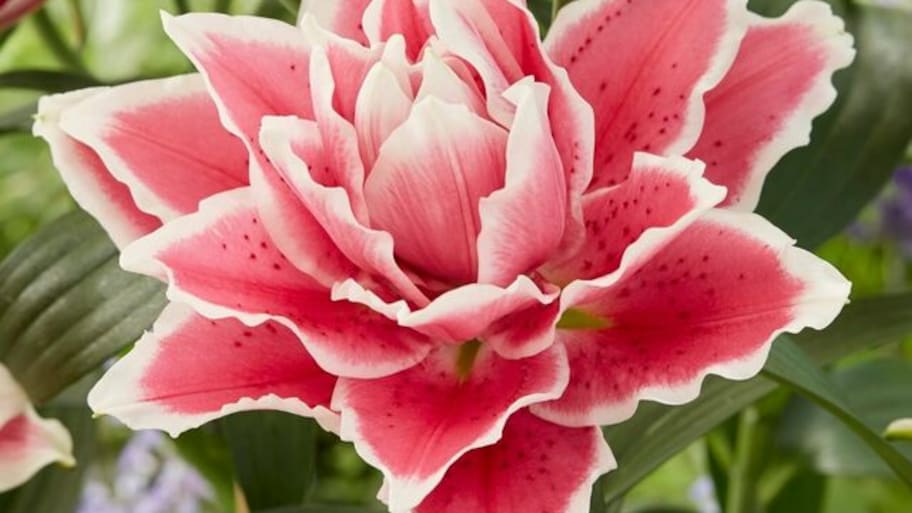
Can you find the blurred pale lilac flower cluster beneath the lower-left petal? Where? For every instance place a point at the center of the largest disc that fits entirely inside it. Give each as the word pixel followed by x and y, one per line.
pixel 149 478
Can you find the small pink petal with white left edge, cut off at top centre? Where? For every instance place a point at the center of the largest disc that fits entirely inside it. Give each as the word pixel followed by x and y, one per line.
pixel 410 18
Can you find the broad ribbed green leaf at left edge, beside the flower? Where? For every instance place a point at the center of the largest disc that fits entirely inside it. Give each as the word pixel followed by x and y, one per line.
pixel 66 306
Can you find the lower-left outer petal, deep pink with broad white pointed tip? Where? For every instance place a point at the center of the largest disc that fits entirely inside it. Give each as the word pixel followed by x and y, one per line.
pixel 191 370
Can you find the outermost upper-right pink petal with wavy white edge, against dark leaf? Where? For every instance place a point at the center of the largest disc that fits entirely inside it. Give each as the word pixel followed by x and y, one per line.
pixel 755 116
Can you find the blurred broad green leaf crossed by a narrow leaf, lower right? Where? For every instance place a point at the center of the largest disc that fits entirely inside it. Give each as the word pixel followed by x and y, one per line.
pixel 878 390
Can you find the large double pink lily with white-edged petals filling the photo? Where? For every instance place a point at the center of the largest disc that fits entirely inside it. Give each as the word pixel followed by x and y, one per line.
pixel 459 247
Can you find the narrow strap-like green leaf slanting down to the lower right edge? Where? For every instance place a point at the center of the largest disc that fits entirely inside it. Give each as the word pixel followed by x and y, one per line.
pixel 791 366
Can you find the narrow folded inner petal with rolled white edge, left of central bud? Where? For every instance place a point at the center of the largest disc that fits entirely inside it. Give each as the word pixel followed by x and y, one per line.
pixel 294 147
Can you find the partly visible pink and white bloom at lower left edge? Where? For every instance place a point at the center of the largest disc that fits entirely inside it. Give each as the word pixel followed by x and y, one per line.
pixel 27 442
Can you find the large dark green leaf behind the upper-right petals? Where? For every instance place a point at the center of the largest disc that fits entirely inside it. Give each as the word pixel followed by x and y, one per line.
pixel 814 192
